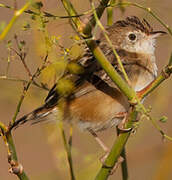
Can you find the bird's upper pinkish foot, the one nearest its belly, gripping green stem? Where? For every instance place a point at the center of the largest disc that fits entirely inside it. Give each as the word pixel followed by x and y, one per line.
pixel 122 123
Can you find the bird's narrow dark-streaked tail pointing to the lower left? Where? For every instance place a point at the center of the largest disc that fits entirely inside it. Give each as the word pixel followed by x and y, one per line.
pixel 38 115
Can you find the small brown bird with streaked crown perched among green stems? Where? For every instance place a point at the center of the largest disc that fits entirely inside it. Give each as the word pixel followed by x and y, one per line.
pixel 97 104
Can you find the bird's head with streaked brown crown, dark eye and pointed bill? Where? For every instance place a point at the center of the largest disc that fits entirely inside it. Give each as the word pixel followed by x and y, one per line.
pixel 133 35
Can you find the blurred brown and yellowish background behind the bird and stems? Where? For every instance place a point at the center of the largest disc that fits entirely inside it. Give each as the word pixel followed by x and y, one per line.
pixel 40 148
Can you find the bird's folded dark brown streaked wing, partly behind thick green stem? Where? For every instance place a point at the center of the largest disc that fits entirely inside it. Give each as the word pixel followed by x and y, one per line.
pixel 93 74
